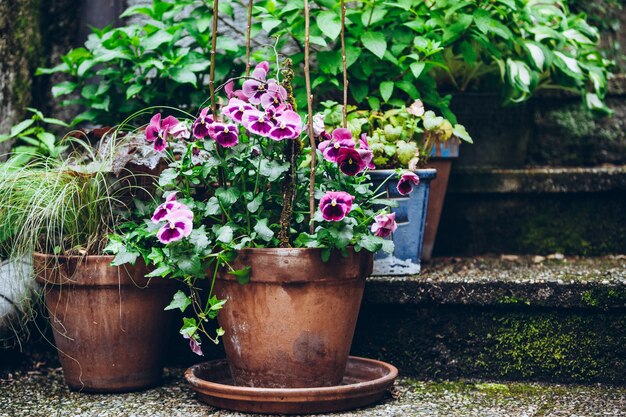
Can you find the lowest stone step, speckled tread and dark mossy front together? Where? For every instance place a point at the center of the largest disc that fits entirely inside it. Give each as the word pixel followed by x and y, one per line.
pixel 509 317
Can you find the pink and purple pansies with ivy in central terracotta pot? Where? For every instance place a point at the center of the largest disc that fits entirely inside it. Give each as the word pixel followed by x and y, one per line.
pixel 283 232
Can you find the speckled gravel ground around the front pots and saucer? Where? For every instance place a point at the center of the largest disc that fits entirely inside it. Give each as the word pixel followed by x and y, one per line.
pixel 41 392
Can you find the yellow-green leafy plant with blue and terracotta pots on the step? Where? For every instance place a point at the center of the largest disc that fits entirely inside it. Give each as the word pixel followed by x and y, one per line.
pixel 406 138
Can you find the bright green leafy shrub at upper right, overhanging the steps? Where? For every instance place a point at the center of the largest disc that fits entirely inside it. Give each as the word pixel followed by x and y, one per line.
pixel 414 49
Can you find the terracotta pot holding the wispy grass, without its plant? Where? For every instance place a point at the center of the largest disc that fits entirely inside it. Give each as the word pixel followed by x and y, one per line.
pixel 108 322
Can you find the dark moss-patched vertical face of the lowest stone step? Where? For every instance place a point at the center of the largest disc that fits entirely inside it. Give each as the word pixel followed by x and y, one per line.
pixel 497 343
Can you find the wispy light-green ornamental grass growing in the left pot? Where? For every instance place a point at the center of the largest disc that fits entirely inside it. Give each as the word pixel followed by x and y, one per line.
pixel 60 206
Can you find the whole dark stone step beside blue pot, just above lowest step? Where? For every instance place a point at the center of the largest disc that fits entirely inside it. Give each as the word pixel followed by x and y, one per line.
pixel 577 211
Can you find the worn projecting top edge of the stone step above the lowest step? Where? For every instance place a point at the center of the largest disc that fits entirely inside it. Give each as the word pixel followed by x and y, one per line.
pixel 538 180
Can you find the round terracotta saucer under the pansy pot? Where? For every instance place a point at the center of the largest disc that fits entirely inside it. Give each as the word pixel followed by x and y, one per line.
pixel 365 382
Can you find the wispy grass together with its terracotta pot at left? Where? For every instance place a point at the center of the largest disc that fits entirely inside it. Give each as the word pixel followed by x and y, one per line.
pixel 107 319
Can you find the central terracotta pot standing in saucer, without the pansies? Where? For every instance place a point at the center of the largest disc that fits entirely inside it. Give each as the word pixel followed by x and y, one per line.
pixel 291 326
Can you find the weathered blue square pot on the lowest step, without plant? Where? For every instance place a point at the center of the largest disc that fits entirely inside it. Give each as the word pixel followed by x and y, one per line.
pixel 411 218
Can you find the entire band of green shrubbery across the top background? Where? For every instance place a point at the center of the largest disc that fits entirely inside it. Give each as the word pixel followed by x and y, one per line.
pixel 396 52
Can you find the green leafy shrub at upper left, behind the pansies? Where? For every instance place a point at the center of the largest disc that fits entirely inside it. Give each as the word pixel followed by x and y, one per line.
pixel 162 60
